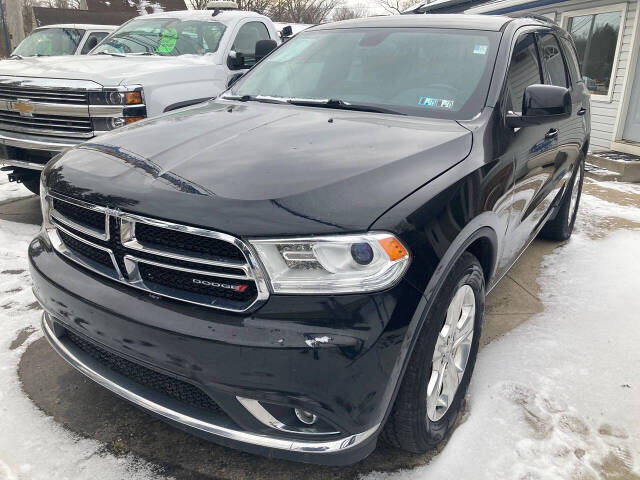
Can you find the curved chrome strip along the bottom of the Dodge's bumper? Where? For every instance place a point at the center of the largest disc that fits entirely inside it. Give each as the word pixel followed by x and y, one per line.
pixel 108 379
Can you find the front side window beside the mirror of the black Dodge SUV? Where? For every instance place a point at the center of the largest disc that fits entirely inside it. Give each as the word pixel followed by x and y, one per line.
pixel 524 70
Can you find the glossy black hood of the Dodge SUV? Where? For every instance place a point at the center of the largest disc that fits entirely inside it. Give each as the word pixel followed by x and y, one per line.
pixel 262 169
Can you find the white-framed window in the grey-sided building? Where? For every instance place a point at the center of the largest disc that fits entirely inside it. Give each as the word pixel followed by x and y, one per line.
pixel 596 34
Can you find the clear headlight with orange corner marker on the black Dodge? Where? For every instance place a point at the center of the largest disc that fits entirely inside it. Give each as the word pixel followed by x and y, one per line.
pixel 333 264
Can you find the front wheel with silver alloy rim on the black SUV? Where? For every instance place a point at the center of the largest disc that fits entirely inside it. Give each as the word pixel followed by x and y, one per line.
pixel 442 362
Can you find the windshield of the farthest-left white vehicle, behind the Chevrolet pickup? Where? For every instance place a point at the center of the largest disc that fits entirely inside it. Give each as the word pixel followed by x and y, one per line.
pixel 50 41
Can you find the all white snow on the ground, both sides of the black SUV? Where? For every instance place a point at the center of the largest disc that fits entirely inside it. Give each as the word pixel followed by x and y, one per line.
pixel 556 398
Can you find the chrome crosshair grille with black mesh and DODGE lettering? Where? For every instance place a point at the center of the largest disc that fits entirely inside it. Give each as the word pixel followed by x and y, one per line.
pixel 176 261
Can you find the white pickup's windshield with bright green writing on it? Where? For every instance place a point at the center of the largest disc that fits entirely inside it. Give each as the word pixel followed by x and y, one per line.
pixel 164 36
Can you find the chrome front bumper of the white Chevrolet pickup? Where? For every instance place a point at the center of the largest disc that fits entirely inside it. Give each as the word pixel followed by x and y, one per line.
pixel 18 145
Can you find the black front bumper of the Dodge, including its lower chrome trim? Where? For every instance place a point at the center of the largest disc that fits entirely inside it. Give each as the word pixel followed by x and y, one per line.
pixel 265 356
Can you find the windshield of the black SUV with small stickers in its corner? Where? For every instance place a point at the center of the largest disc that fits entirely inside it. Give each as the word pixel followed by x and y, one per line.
pixel 441 73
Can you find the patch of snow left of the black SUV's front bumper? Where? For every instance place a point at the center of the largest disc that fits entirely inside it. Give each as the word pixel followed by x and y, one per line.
pixel 32 445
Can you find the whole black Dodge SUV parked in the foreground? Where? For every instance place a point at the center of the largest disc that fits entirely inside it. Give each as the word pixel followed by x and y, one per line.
pixel 299 267
